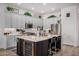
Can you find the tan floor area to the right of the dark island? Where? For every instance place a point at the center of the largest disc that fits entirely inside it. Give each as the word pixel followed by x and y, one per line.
pixel 67 50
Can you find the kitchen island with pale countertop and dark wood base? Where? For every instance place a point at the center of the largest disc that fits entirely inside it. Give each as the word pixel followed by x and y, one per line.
pixel 34 45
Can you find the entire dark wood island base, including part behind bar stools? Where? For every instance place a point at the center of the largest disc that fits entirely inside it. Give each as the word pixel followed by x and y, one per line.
pixel 29 48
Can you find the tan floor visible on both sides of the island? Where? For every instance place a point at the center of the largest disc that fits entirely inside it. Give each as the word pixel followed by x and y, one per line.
pixel 65 51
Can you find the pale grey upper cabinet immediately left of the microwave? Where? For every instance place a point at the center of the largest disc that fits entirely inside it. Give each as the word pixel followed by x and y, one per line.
pixel 18 21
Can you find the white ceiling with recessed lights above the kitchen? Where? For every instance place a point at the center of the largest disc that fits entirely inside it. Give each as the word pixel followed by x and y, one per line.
pixel 43 8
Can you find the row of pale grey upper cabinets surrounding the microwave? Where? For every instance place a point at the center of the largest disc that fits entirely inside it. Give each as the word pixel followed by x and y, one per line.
pixel 13 20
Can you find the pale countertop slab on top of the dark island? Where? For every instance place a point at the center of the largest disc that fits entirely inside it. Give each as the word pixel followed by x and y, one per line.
pixel 36 38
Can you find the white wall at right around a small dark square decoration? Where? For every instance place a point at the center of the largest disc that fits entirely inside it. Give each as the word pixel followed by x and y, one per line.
pixel 69 26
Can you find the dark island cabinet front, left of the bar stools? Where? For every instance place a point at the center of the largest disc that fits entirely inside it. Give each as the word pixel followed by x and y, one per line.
pixel 28 48
